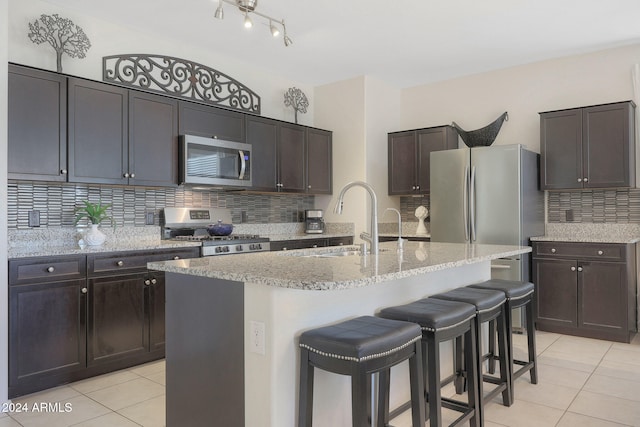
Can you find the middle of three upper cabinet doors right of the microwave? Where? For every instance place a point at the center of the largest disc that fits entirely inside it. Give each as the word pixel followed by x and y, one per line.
pixel 291 158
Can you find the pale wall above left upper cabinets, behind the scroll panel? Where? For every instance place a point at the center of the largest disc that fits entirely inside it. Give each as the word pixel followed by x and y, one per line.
pixel 108 38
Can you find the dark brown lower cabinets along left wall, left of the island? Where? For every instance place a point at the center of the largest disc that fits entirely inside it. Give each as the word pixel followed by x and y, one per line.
pixel 75 317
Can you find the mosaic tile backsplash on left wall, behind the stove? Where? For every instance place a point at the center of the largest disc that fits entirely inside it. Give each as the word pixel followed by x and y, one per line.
pixel 56 203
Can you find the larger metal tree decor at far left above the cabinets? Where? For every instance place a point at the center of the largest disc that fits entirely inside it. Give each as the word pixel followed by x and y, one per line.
pixel 62 34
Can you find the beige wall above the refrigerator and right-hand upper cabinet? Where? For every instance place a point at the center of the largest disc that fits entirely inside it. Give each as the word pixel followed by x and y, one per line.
pixel 524 91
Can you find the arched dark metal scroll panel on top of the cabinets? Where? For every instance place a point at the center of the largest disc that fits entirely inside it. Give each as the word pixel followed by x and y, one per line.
pixel 180 77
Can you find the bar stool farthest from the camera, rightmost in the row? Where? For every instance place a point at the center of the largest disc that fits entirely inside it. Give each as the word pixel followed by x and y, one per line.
pixel 519 295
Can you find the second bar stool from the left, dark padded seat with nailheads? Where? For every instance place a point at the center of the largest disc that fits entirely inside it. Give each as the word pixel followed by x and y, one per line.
pixel 442 321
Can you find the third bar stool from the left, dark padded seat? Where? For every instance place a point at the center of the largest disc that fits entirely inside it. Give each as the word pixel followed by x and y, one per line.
pixel 490 306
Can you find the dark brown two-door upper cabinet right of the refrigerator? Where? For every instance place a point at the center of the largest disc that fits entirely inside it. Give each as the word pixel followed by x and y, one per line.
pixel 588 147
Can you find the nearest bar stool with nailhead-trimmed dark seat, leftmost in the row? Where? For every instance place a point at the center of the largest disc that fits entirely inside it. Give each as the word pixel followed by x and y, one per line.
pixel 360 347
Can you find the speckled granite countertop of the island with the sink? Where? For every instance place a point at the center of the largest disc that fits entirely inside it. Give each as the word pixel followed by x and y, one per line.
pixel 291 269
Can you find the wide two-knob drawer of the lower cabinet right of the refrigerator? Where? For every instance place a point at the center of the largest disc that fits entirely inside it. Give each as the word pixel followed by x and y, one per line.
pixel 596 251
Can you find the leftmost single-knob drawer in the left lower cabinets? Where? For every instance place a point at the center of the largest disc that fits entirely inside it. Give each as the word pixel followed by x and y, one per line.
pixel 46 269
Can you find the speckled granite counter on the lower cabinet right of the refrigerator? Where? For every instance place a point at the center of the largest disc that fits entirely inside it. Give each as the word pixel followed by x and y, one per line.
pixel 590 232
